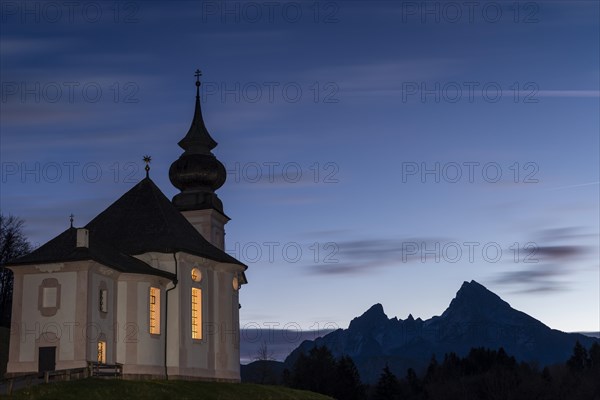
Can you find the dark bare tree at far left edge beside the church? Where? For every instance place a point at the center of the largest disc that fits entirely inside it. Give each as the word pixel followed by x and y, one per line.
pixel 13 244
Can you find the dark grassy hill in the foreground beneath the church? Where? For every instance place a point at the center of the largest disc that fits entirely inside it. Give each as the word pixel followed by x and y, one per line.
pixel 102 389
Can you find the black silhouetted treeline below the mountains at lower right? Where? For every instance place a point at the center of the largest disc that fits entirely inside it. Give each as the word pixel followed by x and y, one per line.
pixel 482 374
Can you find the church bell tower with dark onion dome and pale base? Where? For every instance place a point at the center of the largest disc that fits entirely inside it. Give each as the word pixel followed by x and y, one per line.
pixel 197 174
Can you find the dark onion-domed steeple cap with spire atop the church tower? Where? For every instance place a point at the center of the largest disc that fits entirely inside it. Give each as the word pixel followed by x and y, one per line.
pixel 197 172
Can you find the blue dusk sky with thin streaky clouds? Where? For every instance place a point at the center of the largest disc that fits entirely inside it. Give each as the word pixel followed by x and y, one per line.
pixel 377 151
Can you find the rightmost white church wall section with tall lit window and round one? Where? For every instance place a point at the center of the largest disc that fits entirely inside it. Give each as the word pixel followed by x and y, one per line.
pixel 216 354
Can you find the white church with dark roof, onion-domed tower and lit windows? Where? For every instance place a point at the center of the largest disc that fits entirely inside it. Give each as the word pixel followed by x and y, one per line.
pixel 145 284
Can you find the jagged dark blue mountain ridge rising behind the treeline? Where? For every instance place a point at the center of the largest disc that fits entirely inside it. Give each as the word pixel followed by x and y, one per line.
pixel 476 317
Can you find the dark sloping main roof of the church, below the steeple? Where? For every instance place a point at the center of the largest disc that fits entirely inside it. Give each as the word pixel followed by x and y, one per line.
pixel 142 220
